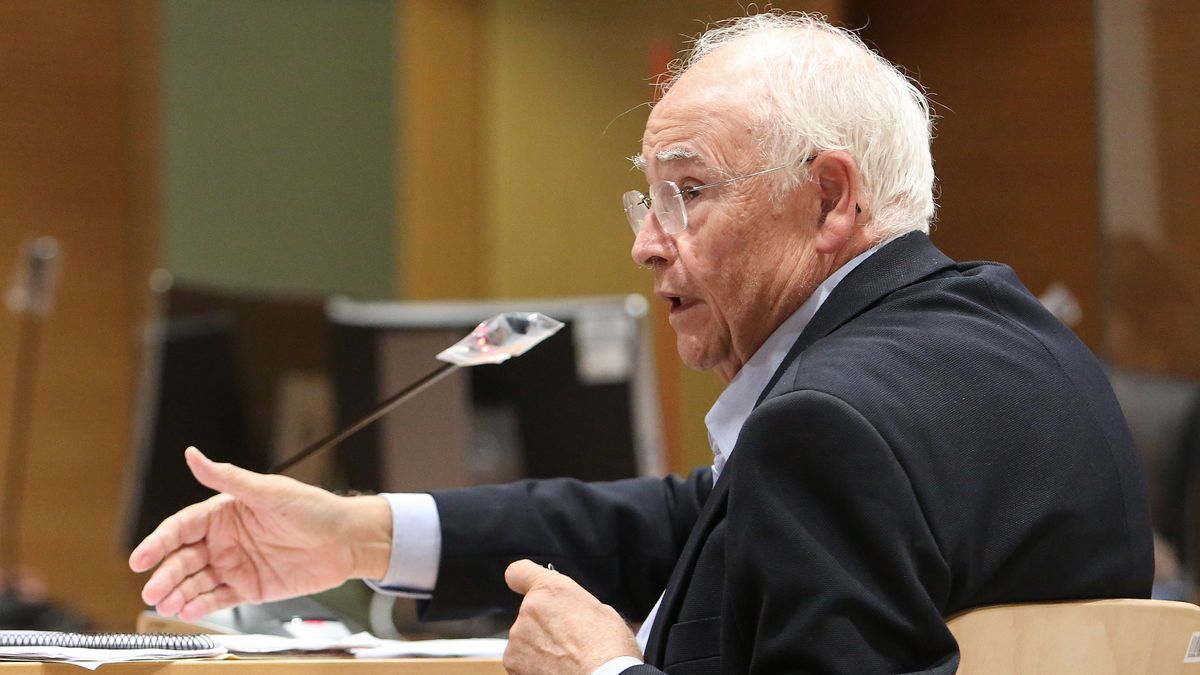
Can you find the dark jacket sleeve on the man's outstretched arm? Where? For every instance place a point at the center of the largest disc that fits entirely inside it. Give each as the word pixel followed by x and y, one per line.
pixel 617 540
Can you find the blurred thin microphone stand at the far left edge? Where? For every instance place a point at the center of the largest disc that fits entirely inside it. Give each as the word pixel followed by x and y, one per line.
pixel 20 607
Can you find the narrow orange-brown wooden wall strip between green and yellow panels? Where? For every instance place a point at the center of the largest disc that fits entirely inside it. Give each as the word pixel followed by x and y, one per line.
pixel 439 151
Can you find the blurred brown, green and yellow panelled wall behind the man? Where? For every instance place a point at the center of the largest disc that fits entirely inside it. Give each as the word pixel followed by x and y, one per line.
pixel 455 150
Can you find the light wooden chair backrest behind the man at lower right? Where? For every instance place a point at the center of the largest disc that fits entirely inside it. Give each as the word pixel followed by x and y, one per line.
pixel 1115 637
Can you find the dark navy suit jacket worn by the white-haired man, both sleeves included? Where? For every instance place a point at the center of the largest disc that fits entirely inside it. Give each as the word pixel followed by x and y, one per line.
pixel 933 443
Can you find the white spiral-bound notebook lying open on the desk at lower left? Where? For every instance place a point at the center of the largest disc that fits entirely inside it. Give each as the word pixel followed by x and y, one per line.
pixel 93 650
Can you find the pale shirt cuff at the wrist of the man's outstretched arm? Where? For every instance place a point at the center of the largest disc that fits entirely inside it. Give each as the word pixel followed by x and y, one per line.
pixel 416 547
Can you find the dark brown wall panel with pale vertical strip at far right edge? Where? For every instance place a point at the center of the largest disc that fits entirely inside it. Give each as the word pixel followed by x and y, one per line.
pixel 1154 278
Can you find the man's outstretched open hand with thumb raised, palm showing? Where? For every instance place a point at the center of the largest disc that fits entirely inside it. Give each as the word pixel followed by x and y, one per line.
pixel 262 539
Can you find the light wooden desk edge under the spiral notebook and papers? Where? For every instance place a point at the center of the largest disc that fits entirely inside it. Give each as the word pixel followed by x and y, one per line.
pixel 297 666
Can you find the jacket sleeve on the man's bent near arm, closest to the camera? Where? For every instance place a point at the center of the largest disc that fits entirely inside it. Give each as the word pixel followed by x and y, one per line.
pixel 831 564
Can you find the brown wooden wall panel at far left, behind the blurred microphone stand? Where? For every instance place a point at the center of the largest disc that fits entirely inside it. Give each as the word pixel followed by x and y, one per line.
pixel 65 171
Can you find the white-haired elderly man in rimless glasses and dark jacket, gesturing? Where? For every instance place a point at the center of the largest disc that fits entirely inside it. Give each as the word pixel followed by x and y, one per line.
pixel 903 437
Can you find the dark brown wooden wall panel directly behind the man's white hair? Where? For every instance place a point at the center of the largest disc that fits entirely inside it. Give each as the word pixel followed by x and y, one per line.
pixel 1016 152
